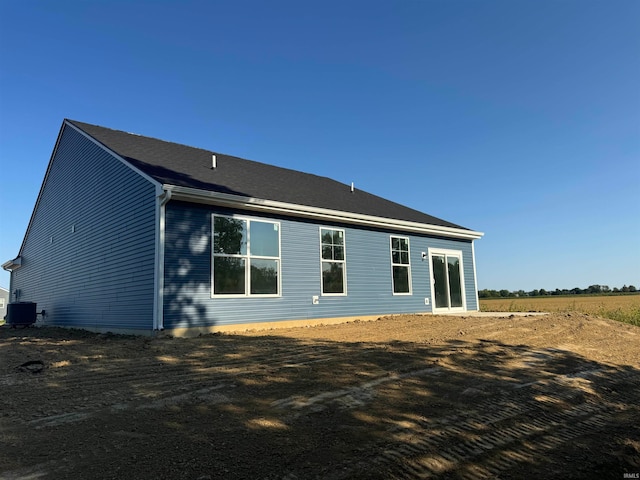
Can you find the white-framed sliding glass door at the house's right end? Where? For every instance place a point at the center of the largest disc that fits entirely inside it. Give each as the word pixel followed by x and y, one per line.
pixel 447 280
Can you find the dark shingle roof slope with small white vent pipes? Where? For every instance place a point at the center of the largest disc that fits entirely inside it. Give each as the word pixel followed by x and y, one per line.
pixel 180 165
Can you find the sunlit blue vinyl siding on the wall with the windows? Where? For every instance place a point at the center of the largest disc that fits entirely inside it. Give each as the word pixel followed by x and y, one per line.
pixel 187 294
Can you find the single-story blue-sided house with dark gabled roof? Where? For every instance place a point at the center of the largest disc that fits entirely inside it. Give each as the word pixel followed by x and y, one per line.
pixel 135 234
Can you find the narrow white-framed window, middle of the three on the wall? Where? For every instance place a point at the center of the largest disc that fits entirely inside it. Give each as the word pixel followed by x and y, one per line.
pixel 332 251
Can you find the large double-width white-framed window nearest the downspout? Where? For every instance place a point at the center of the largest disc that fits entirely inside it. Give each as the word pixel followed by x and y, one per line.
pixel 246 257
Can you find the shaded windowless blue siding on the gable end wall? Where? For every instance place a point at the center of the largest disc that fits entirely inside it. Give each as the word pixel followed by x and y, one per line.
pixel 88 257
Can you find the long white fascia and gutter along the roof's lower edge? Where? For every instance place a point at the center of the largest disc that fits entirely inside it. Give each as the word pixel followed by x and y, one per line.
pixel 324 214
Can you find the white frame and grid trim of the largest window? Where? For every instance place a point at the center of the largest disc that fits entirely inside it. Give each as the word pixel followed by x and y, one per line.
pixel 247 257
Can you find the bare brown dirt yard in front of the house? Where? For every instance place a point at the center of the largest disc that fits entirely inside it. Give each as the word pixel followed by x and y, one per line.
pixel 533 397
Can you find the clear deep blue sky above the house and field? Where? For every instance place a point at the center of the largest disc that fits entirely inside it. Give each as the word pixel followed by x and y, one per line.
pixel 517 118
